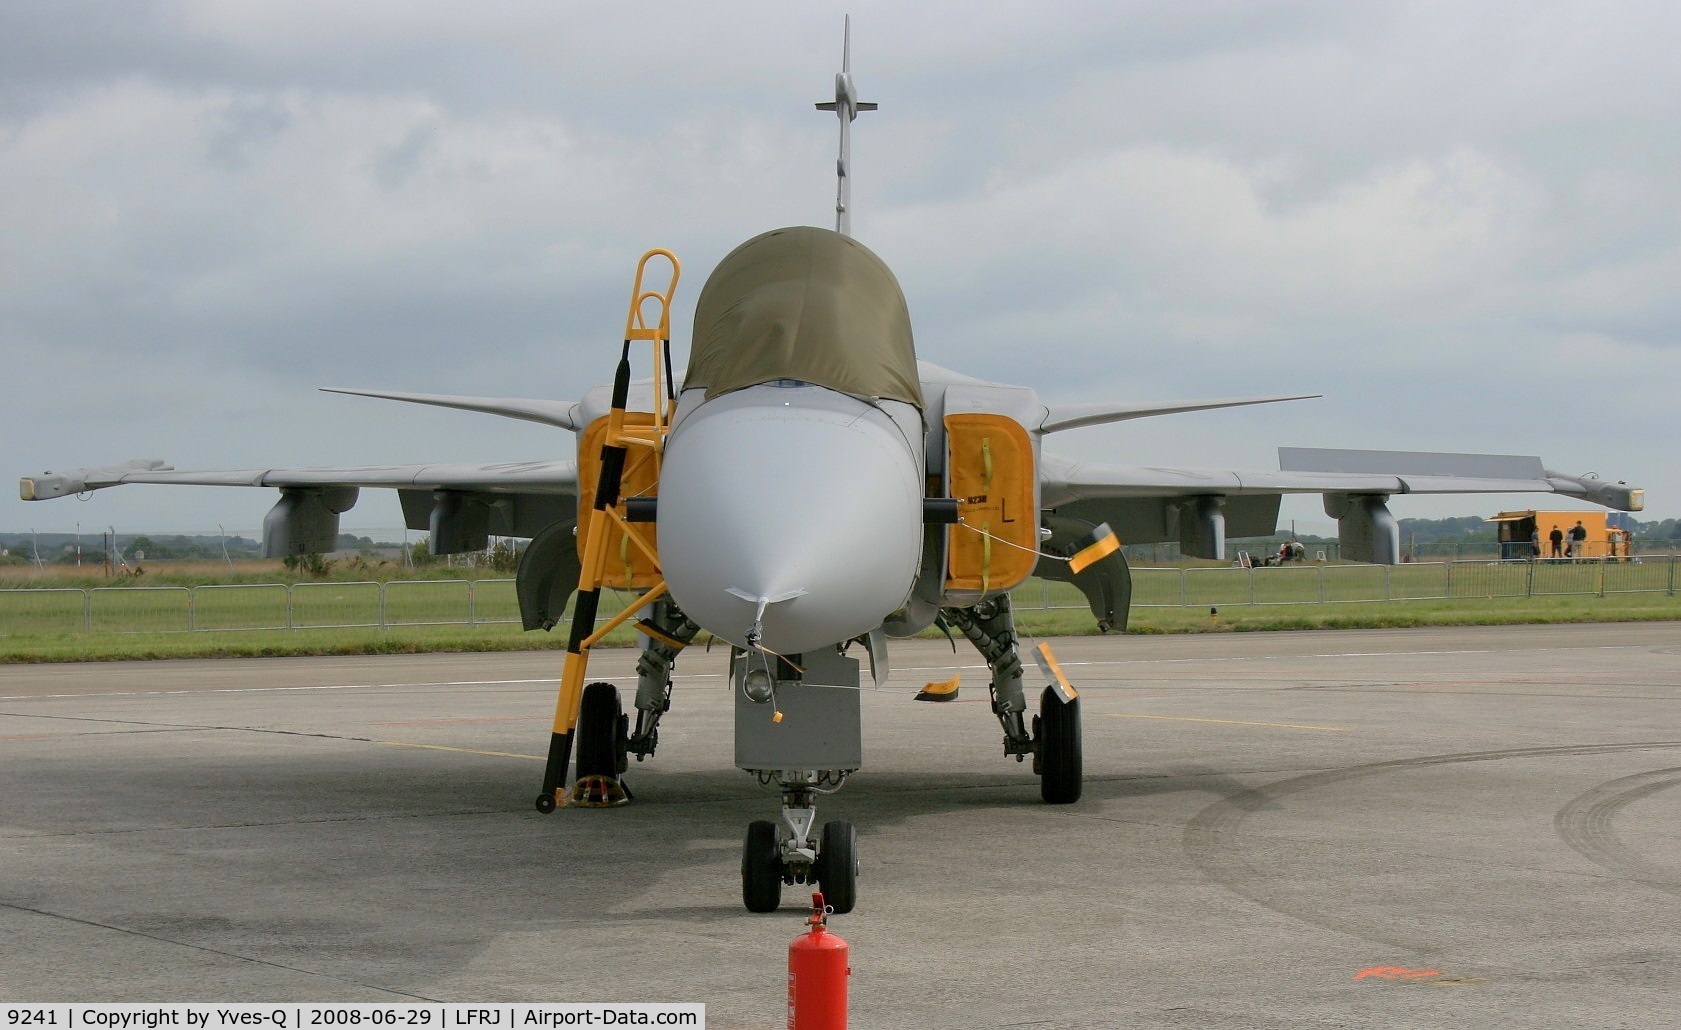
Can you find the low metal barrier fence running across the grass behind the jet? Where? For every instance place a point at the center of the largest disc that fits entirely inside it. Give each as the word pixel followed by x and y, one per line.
pixel 493 602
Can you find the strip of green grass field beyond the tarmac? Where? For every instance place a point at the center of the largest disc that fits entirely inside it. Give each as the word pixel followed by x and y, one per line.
pixel 429 616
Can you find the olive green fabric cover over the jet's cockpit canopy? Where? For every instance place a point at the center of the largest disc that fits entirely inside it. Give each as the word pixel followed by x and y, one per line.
pixel 804 305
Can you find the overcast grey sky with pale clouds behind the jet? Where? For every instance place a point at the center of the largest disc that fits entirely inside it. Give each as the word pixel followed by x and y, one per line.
pixel 1460 223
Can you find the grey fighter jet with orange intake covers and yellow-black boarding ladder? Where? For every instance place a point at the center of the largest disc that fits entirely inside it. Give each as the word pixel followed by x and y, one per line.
pixel 808 486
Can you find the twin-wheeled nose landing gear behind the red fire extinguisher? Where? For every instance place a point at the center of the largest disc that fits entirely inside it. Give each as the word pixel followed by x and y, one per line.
pixel 786 853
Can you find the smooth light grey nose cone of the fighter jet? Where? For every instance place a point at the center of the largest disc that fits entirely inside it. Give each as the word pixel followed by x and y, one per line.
pixel 814 510
